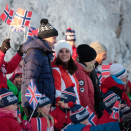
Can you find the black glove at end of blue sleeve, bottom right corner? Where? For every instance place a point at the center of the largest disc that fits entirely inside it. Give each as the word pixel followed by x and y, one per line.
pixel 125 125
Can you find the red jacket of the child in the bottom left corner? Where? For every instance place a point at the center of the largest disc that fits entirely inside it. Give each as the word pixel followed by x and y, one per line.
pixel 9 123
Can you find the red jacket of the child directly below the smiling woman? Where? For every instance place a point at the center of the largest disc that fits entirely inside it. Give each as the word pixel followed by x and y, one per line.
pixel 60 117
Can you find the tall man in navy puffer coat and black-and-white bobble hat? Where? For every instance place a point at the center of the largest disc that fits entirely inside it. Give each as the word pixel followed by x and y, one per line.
pixel 36 64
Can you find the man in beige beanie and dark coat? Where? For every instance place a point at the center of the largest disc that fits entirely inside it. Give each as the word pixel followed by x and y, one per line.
pixel 101 51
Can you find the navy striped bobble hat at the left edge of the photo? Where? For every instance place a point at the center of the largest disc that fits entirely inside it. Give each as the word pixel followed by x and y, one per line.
pixel 7 97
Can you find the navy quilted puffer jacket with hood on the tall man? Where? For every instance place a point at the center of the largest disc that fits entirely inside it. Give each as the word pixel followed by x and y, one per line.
pixel 37 66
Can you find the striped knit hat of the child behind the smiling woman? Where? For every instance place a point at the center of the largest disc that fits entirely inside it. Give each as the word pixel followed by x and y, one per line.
pixel 70 35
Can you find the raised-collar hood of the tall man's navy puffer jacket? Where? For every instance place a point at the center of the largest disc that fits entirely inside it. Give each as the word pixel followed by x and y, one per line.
pixel 35 42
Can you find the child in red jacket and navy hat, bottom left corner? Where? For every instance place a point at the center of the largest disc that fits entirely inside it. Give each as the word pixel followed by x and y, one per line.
pixel 8 113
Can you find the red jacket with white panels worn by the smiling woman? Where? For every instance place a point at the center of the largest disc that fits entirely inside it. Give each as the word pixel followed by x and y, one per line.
pixel 63 80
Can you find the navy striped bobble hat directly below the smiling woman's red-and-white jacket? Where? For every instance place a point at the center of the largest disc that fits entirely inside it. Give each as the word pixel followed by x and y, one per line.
pixel 68 94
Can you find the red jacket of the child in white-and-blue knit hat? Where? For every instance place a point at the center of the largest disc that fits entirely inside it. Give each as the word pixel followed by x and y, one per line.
pixel 109 82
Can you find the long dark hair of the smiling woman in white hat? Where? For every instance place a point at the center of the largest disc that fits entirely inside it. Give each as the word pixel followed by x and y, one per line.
pixel 70 65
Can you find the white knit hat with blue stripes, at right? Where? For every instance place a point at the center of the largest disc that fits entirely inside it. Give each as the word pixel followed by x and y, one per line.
pixel 117 70
